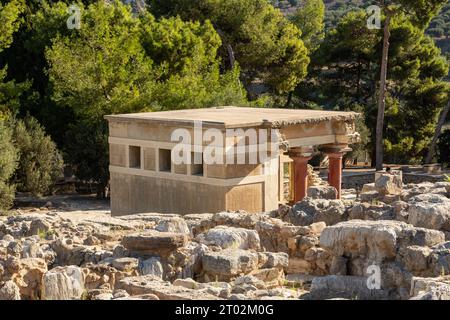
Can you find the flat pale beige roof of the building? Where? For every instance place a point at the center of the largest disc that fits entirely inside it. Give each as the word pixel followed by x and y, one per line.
pixel 230 116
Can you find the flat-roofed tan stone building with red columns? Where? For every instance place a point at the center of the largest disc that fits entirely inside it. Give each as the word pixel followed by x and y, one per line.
pixel 145 177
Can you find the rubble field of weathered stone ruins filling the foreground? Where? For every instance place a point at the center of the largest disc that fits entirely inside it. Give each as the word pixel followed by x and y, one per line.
pixel 319 248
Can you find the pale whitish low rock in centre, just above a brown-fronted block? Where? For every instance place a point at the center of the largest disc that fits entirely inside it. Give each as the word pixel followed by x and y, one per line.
pixel 231 238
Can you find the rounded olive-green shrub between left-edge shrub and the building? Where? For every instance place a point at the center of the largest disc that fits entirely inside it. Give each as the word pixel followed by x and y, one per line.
pixel 40 163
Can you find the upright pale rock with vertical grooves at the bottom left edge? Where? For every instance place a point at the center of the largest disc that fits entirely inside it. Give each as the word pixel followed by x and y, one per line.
pixel 63 283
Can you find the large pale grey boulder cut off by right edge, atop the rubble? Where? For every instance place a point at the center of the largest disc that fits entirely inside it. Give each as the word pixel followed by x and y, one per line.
pixel 430 211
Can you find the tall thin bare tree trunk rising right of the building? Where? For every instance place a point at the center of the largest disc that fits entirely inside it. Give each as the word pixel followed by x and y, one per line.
pixel 382 94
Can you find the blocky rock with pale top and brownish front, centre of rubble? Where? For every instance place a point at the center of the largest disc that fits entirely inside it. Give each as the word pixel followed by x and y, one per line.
pixel 229 263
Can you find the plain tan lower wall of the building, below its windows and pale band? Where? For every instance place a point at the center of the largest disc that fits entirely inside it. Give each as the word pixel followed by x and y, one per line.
pixel 137 194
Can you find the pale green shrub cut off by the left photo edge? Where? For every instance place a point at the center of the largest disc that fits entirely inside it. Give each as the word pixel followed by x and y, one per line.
pixel 8 163
